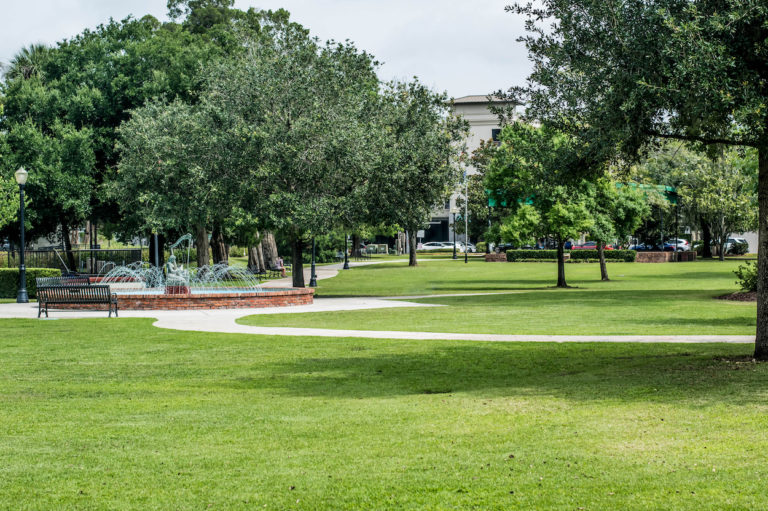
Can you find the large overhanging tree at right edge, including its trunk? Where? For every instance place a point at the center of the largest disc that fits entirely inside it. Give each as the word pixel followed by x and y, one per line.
pixel 635 72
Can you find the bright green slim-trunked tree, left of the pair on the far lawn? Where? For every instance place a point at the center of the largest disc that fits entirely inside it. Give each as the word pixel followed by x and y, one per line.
pixel 536 169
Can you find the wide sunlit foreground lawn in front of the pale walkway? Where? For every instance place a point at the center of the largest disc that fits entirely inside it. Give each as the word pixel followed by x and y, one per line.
pixel 100 414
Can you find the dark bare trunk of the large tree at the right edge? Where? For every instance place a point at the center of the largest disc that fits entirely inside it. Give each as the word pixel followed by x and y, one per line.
pixel 761 340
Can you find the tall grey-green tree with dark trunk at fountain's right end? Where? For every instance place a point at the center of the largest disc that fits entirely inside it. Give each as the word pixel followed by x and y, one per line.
pixel 307 107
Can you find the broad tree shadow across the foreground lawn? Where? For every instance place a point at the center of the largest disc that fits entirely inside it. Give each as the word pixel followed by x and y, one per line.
pixel 695 375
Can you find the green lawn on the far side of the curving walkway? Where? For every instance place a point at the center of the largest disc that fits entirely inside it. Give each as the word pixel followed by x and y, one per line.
pixel 646 299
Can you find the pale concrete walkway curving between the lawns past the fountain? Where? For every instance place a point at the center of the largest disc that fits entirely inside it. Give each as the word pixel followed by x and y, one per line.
pixel 224 321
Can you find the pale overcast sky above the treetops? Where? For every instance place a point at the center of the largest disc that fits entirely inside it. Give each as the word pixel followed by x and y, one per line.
pixel 460 46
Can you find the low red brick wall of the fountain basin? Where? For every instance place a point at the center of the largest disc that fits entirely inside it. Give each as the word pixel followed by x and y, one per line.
pixel 280 298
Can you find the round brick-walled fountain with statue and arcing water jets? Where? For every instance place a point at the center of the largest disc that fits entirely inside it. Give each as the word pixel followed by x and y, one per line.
pixel 142 286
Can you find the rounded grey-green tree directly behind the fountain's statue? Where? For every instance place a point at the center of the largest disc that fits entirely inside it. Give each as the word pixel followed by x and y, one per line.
pixel 175 173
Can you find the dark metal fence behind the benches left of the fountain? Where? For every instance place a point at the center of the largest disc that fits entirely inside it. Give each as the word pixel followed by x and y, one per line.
pixel 87 261
